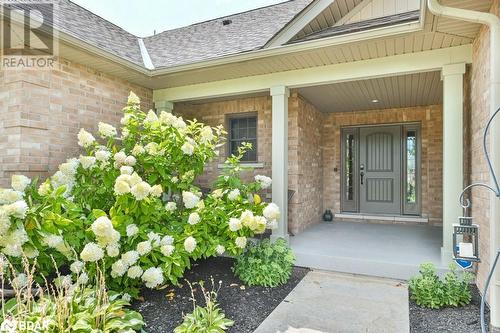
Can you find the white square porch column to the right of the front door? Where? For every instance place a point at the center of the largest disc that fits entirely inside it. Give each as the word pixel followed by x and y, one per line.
pixel 453 97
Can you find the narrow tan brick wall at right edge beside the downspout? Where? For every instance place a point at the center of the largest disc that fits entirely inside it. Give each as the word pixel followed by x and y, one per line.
pixel 480 109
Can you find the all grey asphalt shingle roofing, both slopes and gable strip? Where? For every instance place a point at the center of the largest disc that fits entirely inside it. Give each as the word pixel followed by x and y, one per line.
pixel 212 39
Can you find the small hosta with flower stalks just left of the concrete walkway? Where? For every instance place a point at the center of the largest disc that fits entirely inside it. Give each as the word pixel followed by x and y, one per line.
pixel 208 318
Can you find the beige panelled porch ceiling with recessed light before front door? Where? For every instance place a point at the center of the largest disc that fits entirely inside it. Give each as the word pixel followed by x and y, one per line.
pixel 391 92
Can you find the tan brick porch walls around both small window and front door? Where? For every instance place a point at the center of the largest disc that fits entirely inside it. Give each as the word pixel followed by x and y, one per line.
pixel 314 150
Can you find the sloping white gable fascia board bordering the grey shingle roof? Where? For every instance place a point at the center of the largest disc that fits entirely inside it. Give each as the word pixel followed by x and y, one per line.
pixel 299 23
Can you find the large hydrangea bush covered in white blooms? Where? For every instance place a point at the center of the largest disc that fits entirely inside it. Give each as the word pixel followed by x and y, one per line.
pixel 130 203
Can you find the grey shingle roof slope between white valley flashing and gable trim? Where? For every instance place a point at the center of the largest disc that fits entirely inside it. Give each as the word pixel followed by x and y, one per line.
pixel 247 31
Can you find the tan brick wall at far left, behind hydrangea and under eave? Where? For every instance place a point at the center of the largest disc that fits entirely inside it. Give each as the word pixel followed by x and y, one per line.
pixel 41 111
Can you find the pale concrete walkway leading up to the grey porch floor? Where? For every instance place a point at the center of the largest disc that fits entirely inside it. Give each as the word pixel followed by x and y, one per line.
pixel 325 302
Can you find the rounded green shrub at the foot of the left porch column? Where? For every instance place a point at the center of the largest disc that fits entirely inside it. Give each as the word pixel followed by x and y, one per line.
pixel 265 264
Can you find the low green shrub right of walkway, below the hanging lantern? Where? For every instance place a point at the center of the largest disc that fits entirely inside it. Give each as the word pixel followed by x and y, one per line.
pixel 430 291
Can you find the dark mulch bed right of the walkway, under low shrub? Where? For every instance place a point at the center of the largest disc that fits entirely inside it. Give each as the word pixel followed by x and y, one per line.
pixel 457 320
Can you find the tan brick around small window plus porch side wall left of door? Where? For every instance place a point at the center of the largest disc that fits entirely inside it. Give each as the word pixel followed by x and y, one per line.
pixel 304 148
